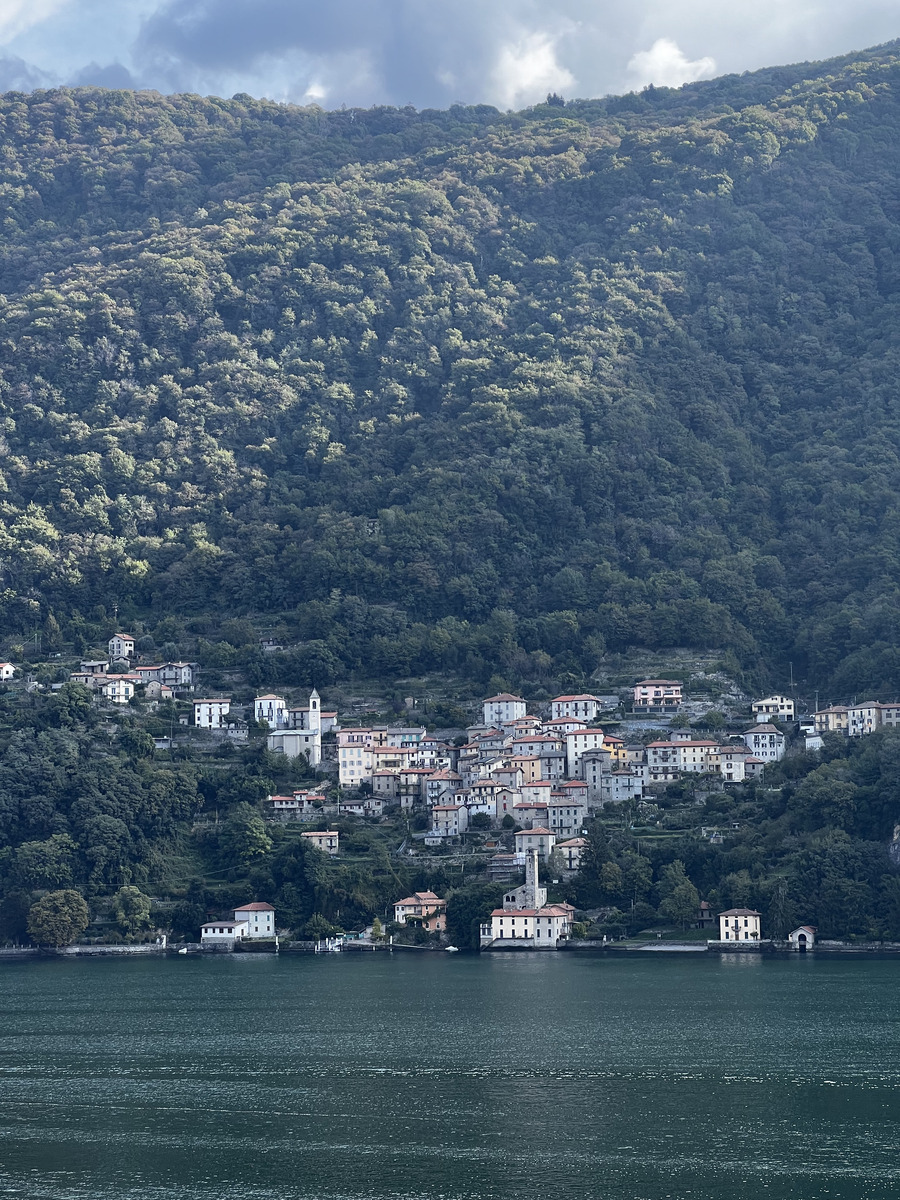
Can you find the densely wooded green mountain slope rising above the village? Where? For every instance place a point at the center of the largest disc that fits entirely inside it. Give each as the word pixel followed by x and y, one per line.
pixel 463 389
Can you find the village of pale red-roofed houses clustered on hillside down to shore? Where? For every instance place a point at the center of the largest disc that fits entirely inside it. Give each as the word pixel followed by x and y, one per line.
pixel 513 796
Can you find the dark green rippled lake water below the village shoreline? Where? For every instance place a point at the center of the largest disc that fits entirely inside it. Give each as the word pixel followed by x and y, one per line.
pixel 451 1078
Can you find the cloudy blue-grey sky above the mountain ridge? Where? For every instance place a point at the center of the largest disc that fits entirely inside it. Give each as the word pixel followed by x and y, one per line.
pixel 434 53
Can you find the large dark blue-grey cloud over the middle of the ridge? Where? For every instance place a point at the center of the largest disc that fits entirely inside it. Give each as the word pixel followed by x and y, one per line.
pixel 358 51
